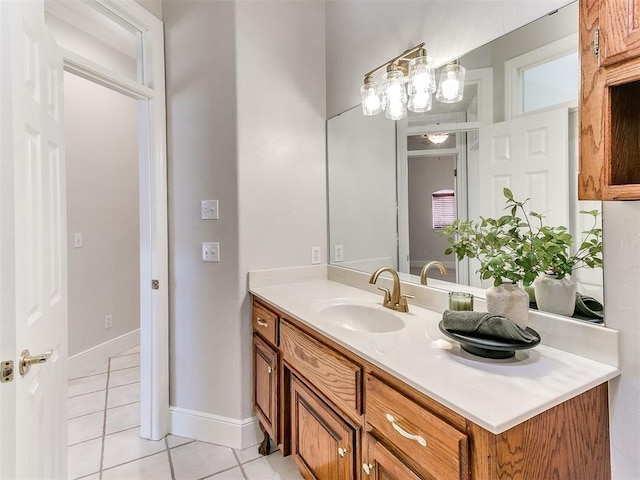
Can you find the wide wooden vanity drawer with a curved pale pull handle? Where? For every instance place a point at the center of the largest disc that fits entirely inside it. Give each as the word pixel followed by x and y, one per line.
pixel 433 446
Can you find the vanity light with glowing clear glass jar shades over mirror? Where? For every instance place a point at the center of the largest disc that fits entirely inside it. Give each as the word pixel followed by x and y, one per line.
pixel 408 84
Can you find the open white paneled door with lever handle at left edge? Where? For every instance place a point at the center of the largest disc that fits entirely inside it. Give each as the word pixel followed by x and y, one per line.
pixel 33 301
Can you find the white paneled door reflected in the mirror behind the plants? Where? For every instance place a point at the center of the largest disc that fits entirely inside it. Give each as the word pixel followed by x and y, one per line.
pixel 529 155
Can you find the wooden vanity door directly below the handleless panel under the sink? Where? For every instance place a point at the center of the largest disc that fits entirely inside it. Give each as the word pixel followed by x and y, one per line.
pixel 323 445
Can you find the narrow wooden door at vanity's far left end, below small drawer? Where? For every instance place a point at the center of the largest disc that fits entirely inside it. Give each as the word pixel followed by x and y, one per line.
pixel 265 386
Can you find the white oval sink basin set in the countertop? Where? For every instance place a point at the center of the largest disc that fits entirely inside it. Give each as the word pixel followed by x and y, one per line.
pixel 362 317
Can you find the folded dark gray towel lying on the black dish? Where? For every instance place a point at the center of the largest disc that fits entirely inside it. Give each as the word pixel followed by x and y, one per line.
pixel 485 325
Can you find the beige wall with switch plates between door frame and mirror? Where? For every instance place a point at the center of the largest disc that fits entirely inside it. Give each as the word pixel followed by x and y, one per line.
pixel 245 98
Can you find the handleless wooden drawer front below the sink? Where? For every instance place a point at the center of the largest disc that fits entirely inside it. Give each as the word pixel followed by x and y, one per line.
pixel 332 374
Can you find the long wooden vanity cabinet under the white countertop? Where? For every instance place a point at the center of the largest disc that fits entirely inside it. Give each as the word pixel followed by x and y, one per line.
pixel 344 418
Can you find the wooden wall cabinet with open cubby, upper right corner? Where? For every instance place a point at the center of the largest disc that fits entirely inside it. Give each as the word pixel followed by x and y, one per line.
pixel 609 95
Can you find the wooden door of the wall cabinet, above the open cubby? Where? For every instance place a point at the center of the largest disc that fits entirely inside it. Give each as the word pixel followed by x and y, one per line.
pixel 619 30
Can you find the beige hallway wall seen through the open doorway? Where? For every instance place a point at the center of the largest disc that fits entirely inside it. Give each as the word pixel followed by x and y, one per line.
pixel 102 204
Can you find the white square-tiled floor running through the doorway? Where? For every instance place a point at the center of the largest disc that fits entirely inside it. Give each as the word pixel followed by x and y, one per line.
pixel 104 442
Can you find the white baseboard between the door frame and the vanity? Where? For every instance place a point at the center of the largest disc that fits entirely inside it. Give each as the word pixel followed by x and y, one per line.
pixel 229 432
